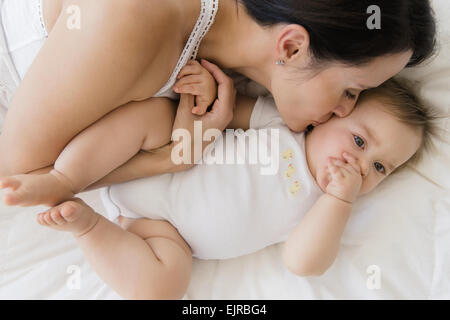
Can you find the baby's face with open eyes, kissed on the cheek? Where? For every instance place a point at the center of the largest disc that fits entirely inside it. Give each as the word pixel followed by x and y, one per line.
pixel 378 141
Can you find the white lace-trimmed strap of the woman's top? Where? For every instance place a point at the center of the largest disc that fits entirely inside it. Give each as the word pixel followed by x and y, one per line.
pixel 205 20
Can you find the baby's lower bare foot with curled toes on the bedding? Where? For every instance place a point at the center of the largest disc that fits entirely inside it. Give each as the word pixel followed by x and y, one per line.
pixel 74 216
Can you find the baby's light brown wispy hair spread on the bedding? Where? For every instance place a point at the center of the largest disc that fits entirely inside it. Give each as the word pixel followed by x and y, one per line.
pixel 398 99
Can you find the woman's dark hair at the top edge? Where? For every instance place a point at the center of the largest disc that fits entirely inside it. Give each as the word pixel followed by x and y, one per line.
pixel 339 32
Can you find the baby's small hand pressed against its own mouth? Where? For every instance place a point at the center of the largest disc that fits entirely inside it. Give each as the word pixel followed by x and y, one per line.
pixel 345 178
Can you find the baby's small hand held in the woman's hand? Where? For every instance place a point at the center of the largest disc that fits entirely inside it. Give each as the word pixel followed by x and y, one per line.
pixel 196 80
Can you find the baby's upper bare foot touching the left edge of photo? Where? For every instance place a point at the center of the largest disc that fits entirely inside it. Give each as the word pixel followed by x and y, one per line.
pixel 31 190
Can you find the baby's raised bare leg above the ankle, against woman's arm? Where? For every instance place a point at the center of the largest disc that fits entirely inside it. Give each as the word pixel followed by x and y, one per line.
pixel 115 139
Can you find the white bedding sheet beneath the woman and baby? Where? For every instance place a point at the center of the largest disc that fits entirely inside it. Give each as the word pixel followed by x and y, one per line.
pixel 396 245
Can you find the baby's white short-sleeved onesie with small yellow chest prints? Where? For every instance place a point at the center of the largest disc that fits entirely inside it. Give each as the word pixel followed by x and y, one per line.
pixel 228 210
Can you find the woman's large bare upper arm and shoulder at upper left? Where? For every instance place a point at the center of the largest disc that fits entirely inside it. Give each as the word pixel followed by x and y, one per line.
pixel 79 75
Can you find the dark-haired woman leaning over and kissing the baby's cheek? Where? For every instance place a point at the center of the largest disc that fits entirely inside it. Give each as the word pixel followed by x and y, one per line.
pixel 314 56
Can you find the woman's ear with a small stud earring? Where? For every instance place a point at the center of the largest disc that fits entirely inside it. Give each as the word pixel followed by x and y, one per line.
pixel 292 43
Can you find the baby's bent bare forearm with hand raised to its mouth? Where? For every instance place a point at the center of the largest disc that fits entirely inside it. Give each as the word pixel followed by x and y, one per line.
pixel 312 246
